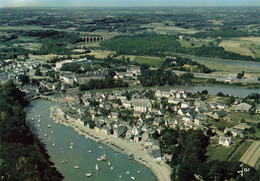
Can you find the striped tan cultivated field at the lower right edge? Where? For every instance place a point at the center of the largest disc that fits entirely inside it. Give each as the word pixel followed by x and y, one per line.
pixel 251 156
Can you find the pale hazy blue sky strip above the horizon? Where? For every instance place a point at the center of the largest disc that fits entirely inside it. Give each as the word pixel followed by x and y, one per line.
pixel 101 3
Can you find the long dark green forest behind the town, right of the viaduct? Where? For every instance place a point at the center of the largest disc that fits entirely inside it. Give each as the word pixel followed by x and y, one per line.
pixel 163 45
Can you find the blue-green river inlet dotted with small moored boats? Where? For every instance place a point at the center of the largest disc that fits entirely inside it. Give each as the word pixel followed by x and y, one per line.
pixel 79 155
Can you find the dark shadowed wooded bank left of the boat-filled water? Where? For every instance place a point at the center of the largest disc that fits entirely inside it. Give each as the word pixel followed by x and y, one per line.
pixel 31 162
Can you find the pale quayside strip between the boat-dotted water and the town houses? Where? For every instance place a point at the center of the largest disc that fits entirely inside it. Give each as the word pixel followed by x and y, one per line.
pixel 161 170
